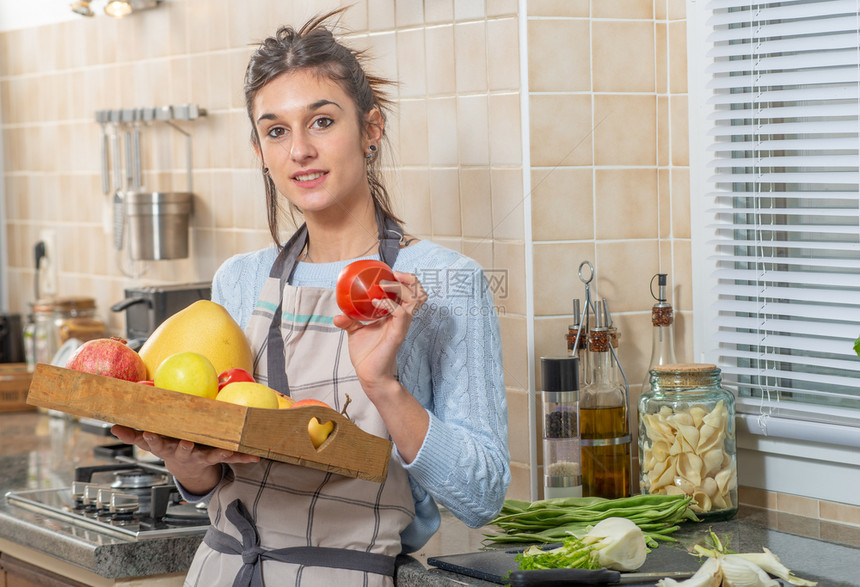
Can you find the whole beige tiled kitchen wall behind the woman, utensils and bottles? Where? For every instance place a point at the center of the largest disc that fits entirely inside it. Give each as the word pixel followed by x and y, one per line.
pixel 607 146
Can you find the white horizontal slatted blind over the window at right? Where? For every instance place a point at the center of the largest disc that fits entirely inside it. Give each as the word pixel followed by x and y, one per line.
pixel 783 107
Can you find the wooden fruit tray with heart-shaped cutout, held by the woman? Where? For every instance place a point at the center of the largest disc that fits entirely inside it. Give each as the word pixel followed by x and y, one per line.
pixel 281 435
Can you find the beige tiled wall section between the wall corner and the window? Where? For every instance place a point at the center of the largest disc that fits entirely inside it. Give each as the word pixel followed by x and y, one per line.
pixel 609 175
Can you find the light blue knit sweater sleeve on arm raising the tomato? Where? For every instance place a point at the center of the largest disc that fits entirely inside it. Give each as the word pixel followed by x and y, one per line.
pixel 453 365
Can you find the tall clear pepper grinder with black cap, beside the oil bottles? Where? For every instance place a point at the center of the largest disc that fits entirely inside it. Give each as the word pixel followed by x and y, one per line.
pixel 561 450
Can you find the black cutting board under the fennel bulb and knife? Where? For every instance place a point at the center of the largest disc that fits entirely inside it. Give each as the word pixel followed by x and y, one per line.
pixel 494 565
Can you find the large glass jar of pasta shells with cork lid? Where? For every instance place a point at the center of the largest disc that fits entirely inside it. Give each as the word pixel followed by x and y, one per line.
pixel 687 439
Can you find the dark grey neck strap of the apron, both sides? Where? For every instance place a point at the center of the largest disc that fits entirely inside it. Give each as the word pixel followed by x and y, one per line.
pixel 390 239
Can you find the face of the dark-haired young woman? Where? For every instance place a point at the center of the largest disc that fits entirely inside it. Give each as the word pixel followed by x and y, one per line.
pixel 312 142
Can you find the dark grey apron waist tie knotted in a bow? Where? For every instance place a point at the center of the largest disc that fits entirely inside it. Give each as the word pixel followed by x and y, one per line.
pixel 251 573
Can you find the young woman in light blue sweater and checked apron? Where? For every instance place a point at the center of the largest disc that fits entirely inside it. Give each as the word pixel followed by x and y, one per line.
pixel 428 375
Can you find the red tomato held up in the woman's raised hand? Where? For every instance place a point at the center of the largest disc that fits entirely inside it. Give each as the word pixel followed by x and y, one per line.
pixel 358 285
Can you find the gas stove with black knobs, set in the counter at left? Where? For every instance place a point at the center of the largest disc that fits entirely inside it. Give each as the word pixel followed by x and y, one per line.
pixel 127 498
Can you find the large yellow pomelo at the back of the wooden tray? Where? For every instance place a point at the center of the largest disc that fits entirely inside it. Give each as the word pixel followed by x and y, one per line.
pixel 203 327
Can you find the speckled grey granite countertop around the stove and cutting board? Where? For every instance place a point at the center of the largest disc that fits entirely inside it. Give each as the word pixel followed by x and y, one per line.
pixel 40 452
